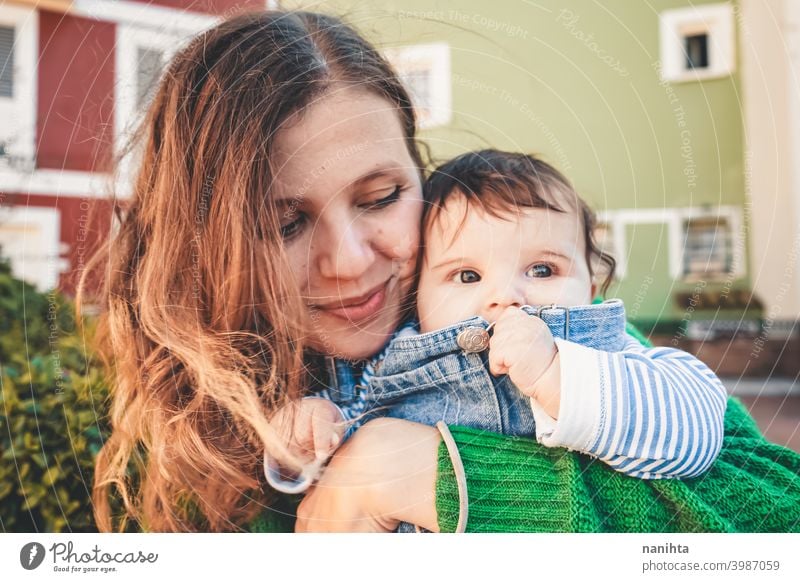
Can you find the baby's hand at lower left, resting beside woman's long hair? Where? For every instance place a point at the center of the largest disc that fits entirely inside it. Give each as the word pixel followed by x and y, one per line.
pixel 312 428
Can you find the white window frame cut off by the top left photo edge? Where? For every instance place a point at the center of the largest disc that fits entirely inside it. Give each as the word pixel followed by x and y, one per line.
pixel 22 106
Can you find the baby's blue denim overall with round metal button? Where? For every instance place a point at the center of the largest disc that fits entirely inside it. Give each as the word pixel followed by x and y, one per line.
pixel 444 374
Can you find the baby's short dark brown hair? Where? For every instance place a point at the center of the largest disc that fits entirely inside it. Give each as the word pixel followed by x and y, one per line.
pixel 501 182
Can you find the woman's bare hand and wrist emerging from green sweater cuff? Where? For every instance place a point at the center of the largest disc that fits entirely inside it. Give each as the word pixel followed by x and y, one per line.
pixel 385 474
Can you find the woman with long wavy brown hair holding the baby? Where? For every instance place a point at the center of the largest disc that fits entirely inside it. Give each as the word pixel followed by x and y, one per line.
pixel 273 227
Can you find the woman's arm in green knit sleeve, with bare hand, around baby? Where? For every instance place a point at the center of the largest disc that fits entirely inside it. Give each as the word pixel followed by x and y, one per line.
pixel 391 469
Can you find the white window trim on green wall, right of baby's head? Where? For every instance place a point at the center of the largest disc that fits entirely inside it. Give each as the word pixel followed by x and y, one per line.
pixel 674 218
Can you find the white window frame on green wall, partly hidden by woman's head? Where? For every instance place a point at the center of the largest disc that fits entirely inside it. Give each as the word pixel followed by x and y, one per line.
pixel 435 56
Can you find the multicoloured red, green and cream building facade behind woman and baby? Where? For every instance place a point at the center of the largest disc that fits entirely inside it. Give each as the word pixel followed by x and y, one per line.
pixel 679 121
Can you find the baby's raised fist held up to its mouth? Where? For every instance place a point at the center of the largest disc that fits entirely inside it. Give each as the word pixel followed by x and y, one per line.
pixel 522 347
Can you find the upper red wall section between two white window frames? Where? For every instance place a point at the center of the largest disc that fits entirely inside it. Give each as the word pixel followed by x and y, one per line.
pixel 75 109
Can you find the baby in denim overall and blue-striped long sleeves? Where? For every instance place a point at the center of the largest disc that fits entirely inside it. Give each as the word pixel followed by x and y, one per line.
pixel 506 337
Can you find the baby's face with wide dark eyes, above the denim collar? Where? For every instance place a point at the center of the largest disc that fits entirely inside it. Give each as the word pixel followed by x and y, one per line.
pixel 536 257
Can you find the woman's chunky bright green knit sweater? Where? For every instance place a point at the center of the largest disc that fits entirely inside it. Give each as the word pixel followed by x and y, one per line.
pixel 518 485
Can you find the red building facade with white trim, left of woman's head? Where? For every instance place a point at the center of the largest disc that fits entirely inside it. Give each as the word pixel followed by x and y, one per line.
pixel 74 78
